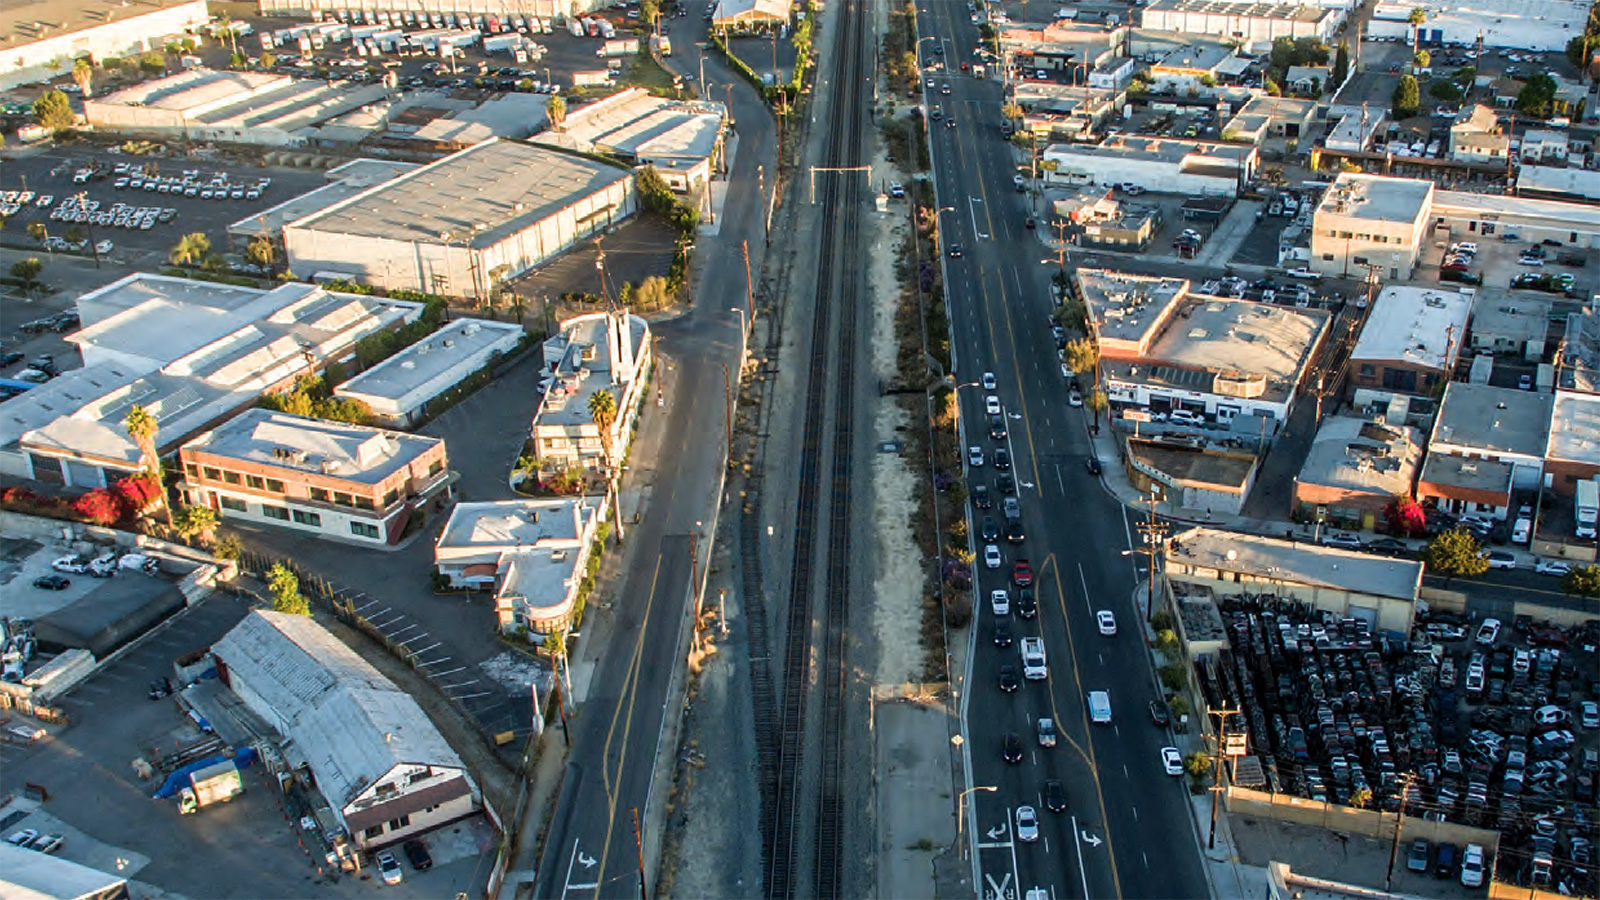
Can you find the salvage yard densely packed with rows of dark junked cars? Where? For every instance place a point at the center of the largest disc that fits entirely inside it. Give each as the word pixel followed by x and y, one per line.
pixel 1476 723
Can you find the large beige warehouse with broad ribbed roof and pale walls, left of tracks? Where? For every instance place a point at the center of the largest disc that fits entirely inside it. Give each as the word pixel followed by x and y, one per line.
pixel 465 225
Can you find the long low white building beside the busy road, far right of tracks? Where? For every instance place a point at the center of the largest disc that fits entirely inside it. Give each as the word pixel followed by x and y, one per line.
pixel 1156 164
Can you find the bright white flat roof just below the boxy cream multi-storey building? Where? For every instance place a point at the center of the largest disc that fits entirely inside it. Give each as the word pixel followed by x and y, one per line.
pixel 1422 327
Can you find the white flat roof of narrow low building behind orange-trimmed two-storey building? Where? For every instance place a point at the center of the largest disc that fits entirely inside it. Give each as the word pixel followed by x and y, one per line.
pixel 462 345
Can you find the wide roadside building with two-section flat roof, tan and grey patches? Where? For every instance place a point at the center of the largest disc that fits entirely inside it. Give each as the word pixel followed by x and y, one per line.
pixel 1164 350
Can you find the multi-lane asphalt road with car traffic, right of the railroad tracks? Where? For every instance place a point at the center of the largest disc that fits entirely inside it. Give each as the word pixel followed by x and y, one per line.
pixel 1127 826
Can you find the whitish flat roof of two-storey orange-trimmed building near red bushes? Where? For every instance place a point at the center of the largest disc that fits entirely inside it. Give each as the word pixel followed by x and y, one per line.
pixel 351 452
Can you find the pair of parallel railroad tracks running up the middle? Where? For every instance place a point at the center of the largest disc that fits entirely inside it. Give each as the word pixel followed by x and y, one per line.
pixel 833 355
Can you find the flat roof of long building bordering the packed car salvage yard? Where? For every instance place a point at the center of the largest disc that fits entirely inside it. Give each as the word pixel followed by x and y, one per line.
pixel 1297 563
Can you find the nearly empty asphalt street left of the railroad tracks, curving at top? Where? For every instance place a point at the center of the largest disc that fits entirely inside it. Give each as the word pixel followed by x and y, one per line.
pixel 630 712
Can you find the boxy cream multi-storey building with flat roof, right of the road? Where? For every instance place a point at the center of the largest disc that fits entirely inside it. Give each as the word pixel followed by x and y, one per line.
pixel 1369 220
